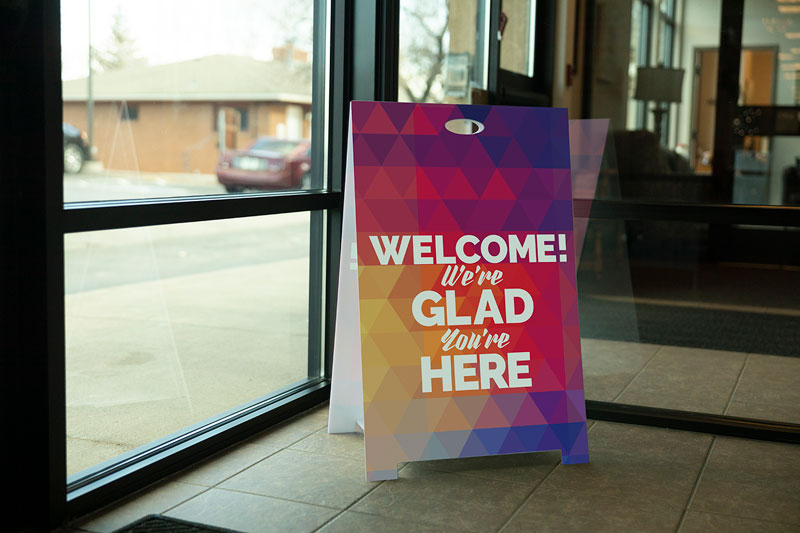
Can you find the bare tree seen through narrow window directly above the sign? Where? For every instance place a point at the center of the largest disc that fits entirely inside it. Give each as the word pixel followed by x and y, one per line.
pixel 424 56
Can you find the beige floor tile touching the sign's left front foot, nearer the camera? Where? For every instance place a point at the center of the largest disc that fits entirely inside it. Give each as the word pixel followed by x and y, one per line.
pixel 327 480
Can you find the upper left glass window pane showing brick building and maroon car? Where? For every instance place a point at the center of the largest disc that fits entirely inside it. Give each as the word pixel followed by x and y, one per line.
pixel 165 99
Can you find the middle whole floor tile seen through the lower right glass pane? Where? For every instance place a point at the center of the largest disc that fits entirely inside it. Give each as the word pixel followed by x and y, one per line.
pixel 688 379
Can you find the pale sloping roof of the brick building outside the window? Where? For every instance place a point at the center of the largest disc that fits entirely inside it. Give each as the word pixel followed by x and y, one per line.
pixel 218 77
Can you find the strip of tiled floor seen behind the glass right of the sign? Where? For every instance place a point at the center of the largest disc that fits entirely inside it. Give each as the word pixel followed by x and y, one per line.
pixel 749 385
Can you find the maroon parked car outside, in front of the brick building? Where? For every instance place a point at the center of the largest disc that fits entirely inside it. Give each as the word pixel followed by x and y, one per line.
pixel 269 163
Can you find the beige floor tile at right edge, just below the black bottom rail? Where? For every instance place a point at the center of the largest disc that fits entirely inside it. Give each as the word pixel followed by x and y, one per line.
pixel 751 479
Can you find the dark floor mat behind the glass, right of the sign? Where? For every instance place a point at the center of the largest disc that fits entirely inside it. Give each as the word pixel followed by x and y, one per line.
pixel 692 327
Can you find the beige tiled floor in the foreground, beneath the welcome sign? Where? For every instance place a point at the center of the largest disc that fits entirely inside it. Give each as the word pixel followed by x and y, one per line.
pixel 297 477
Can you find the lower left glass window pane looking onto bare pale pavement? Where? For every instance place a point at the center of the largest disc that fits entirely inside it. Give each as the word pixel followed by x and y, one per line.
pixel 168 326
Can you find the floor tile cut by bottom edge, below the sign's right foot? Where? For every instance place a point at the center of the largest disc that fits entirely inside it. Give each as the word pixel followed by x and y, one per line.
pixel 558 510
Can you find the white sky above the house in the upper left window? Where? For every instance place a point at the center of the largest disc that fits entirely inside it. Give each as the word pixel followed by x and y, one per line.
pixel 165 31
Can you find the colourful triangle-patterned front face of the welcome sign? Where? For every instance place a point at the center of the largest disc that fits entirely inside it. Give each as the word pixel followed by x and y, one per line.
pixel 467 290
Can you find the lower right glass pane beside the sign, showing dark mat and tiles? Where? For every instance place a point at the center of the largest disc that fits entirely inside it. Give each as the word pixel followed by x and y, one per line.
pixel 685 316
